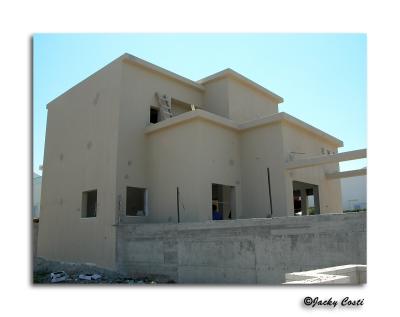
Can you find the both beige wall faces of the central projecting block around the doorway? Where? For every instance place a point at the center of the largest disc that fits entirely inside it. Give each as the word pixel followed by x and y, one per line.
pixel 191 156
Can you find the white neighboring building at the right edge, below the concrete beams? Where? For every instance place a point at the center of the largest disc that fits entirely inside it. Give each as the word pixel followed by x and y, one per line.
pixel 354 192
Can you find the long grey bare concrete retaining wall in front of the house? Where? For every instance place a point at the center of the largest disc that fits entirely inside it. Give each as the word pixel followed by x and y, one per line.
pixel 242 251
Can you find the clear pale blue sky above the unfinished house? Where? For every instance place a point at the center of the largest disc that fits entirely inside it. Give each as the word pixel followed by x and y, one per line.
pixel 322 77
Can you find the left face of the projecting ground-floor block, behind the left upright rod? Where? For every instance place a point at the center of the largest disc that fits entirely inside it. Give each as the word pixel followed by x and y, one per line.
pixel 173 157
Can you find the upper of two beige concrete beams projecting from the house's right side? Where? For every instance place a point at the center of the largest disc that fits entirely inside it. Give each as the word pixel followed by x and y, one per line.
pixel 327 159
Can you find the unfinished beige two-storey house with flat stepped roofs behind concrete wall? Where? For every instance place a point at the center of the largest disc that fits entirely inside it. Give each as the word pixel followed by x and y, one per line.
pixel 135 143
